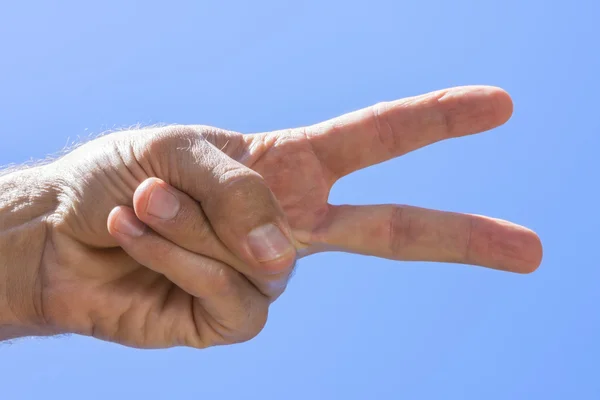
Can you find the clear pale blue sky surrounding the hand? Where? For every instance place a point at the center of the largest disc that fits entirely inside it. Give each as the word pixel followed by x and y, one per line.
pixel 349 327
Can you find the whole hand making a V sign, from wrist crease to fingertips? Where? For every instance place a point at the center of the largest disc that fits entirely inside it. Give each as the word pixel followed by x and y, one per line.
pixel 189 276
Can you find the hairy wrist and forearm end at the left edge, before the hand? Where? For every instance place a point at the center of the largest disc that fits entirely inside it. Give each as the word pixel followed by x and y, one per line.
pixel 26 202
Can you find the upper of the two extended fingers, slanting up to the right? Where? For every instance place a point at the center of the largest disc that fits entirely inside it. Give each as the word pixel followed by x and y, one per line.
pixel 388 130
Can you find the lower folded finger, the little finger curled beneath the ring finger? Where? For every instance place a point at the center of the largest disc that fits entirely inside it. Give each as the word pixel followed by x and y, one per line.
pixel 235 307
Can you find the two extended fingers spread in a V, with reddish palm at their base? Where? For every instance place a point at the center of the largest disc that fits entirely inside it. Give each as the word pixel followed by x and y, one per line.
pixel 301 165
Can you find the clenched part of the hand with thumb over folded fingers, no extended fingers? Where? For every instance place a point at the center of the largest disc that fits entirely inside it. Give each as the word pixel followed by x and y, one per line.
pixel 160 294
